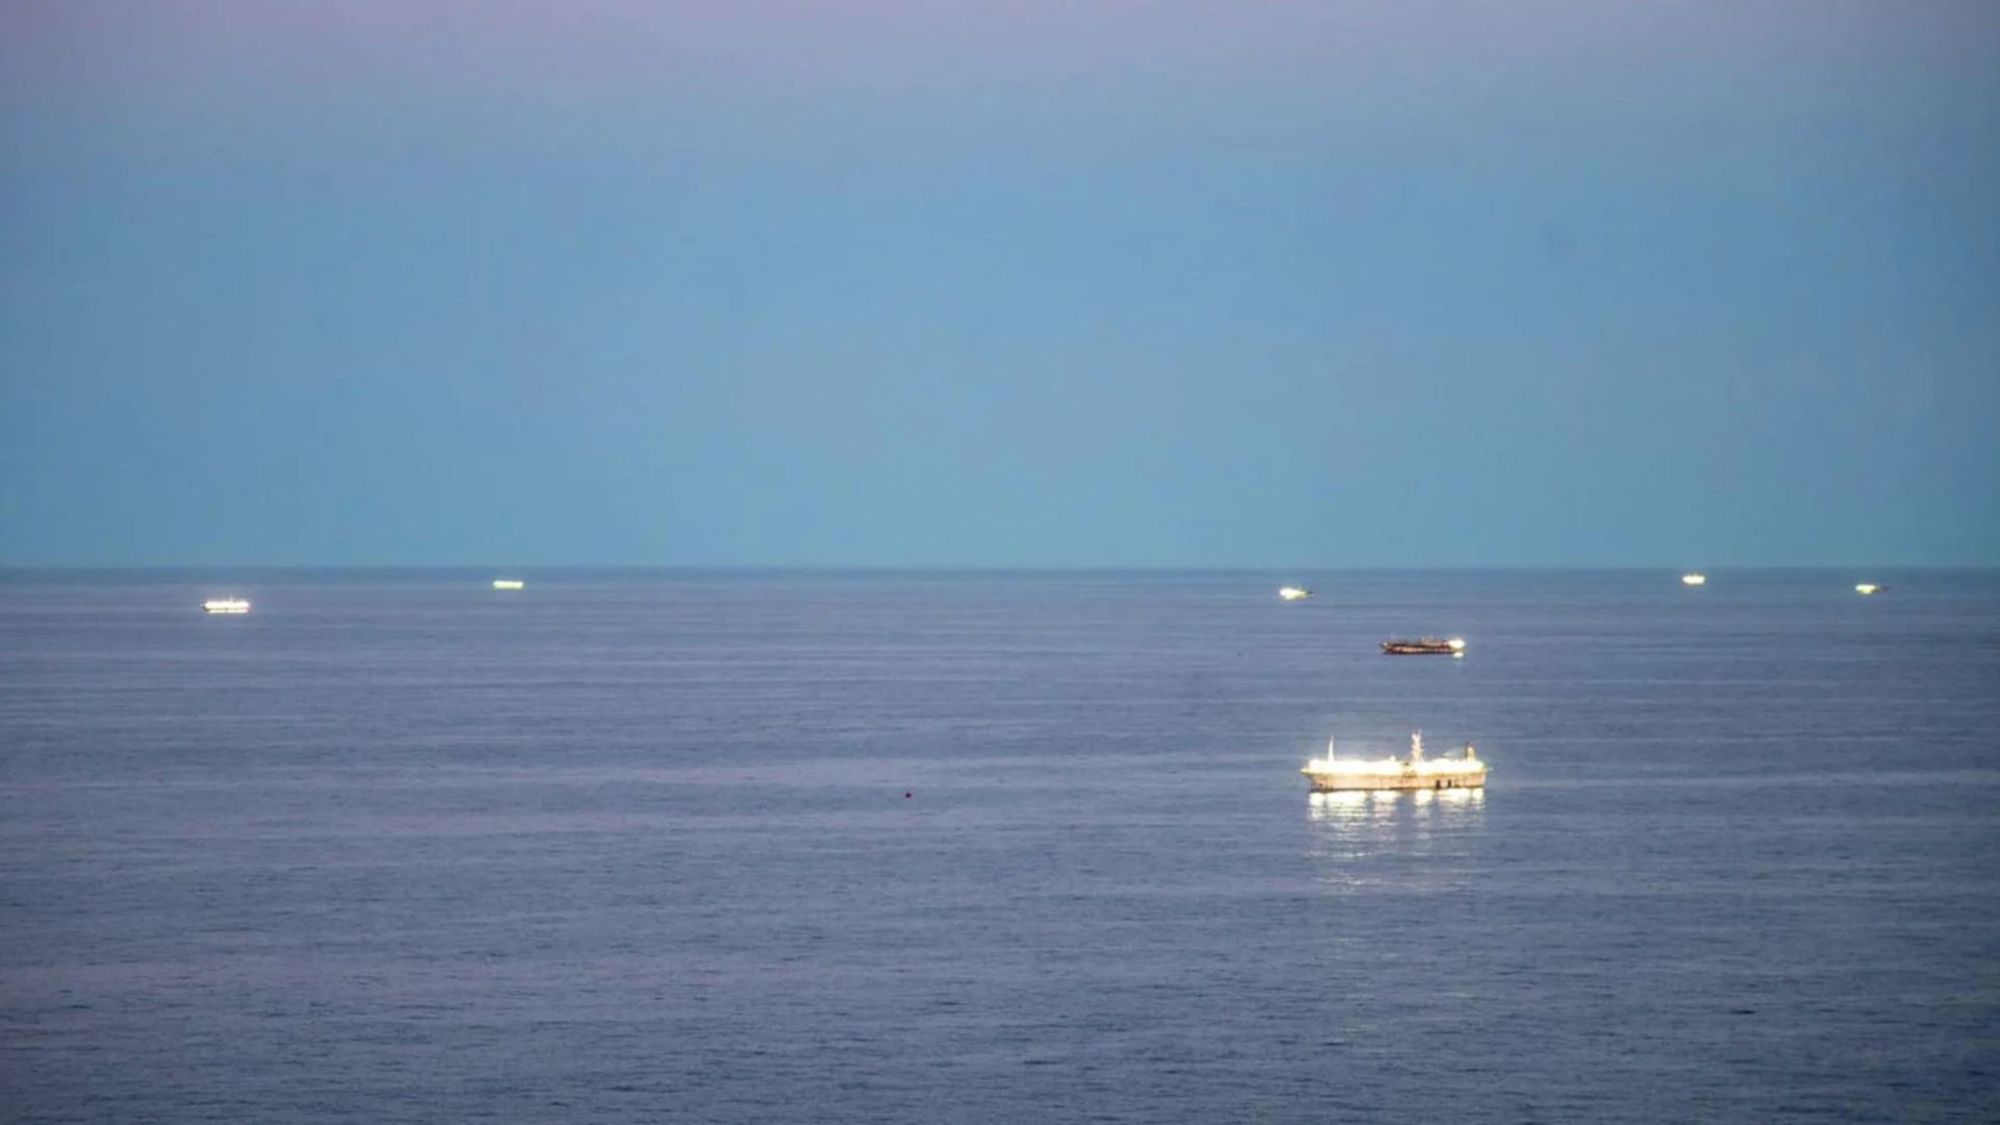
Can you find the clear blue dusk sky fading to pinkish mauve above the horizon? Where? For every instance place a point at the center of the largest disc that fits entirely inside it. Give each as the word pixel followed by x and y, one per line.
pixel 903 283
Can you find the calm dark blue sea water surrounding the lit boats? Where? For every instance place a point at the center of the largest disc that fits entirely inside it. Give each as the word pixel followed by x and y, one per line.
pixel 917 848
